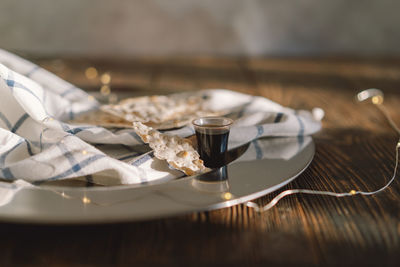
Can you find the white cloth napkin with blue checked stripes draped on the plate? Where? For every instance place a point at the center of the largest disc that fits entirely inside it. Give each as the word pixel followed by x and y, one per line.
pixel 37 145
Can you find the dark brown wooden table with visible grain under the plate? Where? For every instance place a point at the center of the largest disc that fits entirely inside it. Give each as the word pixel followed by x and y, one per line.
pixel 355 150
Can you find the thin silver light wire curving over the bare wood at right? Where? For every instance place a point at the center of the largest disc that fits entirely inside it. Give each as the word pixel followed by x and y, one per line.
pixel 378 104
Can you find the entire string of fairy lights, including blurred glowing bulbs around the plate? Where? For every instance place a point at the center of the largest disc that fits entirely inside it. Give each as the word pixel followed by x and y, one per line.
pixel 374 95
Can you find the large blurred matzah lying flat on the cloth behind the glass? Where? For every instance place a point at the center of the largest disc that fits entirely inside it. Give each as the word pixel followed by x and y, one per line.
pixel 157 111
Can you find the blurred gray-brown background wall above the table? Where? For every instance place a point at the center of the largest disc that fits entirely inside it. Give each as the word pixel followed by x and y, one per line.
pixel 178 27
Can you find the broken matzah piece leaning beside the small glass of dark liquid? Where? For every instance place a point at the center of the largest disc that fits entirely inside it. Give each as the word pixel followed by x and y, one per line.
pixel 177 151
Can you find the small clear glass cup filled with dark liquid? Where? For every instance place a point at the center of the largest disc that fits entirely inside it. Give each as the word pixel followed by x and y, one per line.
pixel 212 135
